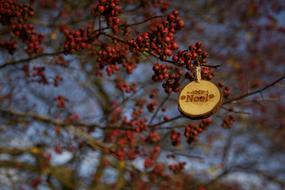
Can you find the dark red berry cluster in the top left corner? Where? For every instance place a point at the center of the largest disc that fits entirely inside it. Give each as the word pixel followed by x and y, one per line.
pixel 13 12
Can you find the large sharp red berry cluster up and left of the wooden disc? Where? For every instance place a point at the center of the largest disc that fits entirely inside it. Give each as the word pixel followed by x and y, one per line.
pixel 160 41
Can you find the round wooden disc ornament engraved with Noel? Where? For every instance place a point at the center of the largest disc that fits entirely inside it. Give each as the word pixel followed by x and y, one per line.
pixel 199 100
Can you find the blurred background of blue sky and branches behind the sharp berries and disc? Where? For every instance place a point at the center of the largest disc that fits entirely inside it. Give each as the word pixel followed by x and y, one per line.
pixel 41 95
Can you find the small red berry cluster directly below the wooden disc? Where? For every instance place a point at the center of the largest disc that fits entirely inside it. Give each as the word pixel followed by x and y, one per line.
pixel 192 131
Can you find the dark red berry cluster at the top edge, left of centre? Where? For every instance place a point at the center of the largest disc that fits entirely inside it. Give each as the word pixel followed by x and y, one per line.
pixel 111 10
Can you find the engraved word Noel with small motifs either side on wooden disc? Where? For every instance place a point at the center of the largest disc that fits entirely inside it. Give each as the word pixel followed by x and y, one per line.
pixel 197 96
